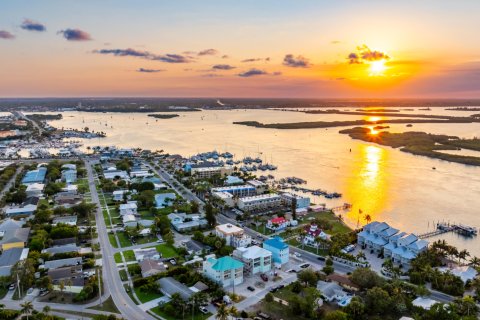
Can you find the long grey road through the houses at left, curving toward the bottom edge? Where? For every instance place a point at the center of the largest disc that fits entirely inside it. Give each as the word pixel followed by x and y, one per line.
pixel 111 278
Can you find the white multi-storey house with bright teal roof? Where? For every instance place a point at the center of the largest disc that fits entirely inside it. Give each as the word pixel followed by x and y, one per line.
pixel 226 271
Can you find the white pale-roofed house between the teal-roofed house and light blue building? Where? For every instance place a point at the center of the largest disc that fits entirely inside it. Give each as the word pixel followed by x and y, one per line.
pixel 255 259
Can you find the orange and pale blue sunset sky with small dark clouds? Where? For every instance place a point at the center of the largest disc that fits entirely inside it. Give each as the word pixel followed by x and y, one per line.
pixel 249 48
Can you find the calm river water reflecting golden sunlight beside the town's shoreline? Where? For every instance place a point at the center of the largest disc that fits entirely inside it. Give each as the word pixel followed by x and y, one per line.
pixel 389 185
